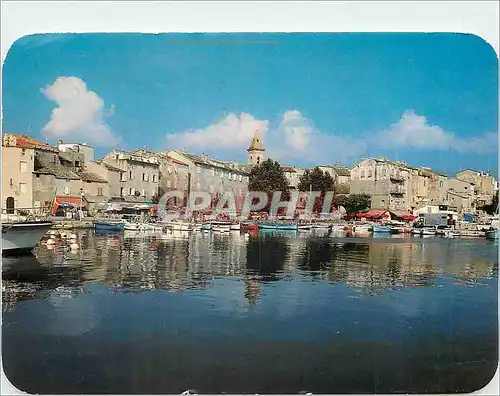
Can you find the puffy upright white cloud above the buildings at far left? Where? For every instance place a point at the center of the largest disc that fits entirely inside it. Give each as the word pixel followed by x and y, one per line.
pixel 79 115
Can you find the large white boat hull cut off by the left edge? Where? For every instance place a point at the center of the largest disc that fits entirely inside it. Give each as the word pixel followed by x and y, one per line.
pixel 22 236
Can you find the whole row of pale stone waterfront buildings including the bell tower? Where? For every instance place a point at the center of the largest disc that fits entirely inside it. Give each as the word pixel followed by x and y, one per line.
pixel 38 175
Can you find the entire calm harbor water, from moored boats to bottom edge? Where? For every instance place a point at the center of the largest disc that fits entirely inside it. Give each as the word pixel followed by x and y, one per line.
pixel 252 314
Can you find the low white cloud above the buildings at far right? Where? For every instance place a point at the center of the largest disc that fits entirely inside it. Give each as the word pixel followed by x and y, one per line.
pixel 413 131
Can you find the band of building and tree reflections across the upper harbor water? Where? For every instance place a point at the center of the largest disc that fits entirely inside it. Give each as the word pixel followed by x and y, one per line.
pixel 177 262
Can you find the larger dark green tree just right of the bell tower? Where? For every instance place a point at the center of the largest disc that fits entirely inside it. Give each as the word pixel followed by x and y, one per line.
pixel 269 177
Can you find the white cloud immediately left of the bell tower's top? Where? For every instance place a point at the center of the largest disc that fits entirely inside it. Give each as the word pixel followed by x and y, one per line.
pixel 231 132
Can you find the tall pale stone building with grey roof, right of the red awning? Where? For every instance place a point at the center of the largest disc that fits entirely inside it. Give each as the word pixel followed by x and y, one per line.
pixel 140 179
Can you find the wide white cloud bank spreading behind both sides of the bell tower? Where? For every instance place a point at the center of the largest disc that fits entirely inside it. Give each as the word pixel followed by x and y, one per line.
pixel 295 140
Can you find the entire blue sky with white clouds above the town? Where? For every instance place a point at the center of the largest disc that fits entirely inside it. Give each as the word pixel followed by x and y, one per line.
pixel 428 99
